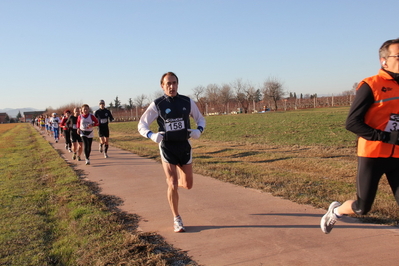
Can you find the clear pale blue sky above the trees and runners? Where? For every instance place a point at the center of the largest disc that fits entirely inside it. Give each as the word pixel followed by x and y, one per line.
pixel 54 53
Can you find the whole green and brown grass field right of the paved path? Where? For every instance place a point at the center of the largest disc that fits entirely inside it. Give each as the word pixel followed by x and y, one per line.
pixel 306 156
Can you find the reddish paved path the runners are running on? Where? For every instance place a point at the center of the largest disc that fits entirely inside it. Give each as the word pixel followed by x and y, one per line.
pixel 231 225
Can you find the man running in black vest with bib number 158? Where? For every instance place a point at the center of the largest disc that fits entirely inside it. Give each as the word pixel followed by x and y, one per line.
pixel 172 112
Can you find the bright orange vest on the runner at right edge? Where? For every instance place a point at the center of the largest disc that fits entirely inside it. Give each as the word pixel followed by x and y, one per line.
pixel 386 104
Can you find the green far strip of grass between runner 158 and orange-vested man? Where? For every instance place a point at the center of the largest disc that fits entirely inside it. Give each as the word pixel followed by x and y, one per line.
pixel 301 127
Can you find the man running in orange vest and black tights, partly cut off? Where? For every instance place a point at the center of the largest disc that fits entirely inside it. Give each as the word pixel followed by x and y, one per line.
pixel 373 117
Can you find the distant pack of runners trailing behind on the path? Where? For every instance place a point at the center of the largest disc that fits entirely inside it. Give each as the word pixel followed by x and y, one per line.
pixel 77 128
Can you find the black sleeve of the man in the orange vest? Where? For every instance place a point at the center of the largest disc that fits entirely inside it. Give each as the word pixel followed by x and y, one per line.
pixel 355 120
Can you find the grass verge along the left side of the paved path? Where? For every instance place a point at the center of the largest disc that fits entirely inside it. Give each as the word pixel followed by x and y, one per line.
pixel 49 216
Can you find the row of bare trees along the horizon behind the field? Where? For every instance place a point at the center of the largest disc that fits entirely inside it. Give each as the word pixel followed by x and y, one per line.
pixel 238 97
